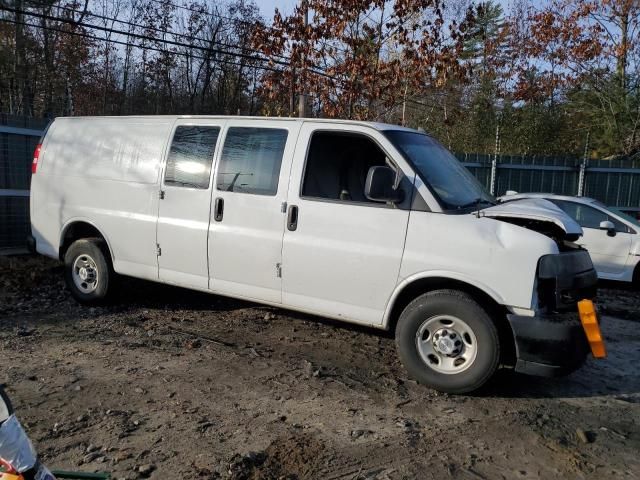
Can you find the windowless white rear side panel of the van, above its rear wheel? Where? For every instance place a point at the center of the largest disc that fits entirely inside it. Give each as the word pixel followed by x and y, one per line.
pixel 105 171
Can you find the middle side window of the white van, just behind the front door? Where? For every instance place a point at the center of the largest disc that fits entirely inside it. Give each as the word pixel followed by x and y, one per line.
pixel 251 160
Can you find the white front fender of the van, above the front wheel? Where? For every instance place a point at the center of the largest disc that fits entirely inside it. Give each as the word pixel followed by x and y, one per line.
pixel 496 257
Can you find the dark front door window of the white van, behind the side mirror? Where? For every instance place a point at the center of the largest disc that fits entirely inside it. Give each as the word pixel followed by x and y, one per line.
pixel 337 166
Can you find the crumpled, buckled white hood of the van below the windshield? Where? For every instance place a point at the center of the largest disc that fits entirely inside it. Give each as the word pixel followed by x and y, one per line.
pixel 529 212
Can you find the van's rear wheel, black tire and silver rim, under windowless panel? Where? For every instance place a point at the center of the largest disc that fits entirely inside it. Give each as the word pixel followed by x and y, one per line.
pixel 94 250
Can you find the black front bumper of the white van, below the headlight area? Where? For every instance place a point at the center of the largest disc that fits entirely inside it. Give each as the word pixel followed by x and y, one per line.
pixel 549 345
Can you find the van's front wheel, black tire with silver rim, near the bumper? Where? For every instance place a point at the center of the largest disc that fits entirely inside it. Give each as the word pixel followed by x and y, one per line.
pixel 429 307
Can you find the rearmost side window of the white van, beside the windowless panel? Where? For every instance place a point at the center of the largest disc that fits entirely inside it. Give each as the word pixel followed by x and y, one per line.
pixel 190 156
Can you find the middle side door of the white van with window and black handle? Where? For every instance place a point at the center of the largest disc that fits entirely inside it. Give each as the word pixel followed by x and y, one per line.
pixel 247 218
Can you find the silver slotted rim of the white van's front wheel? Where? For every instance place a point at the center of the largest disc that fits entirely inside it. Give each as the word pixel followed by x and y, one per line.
pixel 446 344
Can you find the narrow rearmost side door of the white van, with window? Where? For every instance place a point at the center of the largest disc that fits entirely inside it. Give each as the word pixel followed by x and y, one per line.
pixel 185 203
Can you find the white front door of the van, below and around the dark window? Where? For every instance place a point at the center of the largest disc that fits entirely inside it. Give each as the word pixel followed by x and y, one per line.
pixel 341 251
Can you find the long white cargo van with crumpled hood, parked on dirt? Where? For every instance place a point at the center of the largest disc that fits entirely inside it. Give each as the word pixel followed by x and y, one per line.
pixel 366 223
